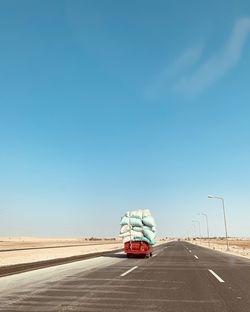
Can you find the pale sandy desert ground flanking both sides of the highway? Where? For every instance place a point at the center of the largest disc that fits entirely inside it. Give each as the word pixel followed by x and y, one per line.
pixel 26 250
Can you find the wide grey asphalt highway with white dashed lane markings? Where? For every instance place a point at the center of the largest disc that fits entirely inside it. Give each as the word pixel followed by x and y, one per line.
pixel 179 277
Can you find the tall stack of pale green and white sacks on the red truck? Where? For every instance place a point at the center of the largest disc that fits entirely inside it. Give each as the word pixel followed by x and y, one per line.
pixel 138 225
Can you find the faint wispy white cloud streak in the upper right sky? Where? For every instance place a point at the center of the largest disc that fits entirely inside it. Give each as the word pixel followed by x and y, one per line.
pixel 188 77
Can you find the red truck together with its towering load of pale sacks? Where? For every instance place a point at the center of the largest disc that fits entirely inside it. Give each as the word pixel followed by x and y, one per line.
pixel 138 232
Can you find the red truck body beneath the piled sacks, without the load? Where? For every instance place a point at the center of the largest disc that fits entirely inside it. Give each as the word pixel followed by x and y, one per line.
pixel 140 248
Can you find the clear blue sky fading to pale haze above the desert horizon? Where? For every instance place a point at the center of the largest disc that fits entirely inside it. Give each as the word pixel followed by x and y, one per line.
pixel 109 106
